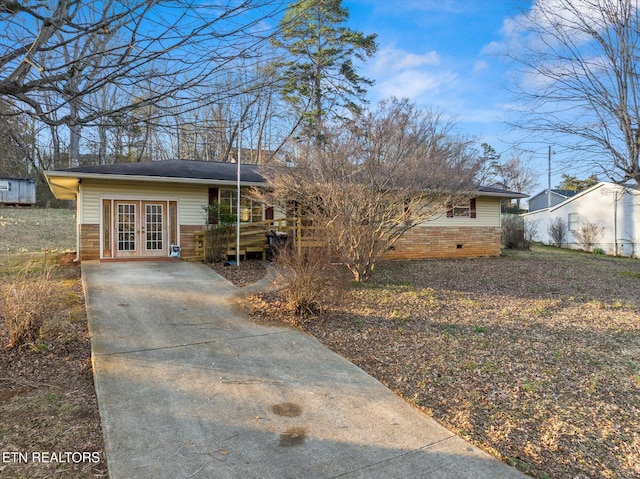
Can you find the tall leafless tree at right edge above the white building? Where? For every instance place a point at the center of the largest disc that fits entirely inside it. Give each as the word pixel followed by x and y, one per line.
pixel 580 79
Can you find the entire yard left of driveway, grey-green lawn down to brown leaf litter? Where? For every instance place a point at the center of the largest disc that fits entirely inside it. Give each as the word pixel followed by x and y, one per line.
pixel 49 421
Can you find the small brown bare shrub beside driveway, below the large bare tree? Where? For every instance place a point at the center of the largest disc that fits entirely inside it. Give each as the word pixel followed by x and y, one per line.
pixel 310 277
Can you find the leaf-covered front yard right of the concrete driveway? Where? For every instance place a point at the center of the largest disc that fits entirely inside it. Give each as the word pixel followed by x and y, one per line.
pixel 535 356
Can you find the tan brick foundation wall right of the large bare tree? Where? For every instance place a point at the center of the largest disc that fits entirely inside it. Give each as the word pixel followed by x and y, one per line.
pixel 450 242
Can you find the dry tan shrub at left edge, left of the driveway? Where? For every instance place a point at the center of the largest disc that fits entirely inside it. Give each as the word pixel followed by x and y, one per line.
pixel 28 299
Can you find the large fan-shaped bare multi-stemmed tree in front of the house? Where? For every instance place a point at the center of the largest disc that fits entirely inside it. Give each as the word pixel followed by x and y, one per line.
pixel 377 176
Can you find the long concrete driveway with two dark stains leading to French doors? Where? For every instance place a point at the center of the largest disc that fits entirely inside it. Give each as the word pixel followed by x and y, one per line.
pixel 188 388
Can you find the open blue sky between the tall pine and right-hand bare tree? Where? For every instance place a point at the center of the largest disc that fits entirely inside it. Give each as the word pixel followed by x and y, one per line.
pixel 443 54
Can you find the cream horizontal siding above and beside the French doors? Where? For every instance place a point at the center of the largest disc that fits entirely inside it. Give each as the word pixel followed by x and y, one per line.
pixel 191 198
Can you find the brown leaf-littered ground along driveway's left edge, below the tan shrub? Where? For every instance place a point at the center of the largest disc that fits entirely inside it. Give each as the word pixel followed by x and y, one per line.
pixel 49 420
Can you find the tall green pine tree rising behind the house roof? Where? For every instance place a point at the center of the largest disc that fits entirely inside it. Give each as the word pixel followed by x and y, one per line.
pixel 319 77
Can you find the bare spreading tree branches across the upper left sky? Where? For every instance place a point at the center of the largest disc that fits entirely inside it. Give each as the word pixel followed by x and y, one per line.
pixel 56 55
